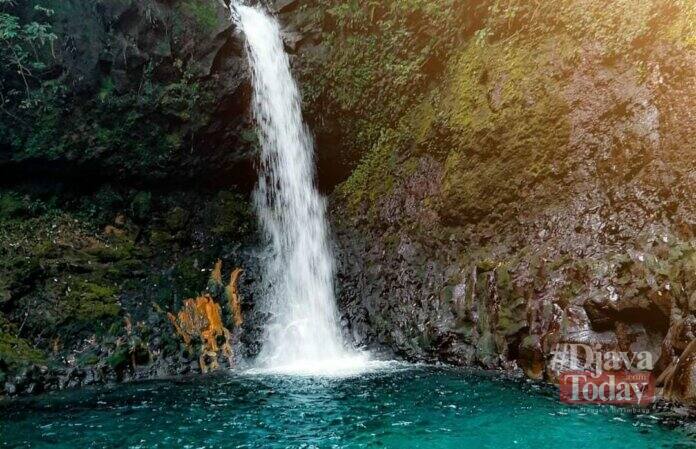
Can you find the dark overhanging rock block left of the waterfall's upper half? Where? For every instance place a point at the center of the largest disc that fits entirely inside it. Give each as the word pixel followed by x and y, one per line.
pixel 146 91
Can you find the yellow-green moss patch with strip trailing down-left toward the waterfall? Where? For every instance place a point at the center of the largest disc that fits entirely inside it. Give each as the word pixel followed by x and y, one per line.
pixel 498 122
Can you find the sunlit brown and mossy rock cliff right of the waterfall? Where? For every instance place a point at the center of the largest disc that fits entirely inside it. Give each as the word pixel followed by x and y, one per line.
pixel 529 180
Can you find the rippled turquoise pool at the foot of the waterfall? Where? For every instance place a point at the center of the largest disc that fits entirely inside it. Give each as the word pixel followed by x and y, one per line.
pixel 398 407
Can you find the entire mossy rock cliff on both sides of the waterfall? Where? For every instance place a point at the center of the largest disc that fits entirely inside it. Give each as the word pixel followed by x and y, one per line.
pixel 506 177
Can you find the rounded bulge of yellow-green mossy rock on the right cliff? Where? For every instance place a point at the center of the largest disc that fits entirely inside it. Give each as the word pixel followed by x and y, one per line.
pixel 510 125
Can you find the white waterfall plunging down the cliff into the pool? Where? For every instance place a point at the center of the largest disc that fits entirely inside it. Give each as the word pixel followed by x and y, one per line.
pixel 303 333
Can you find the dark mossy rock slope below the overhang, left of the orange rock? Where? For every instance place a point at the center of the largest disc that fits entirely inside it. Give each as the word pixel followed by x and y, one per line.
pixel 66 277
